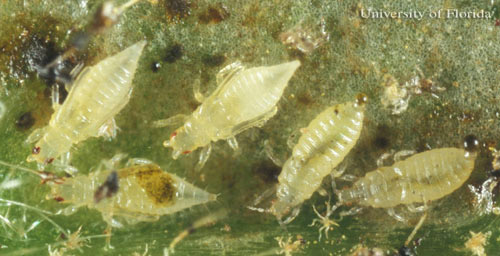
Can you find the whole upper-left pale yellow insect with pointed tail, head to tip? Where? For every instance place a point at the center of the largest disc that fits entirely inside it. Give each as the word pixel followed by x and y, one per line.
pixel 96 96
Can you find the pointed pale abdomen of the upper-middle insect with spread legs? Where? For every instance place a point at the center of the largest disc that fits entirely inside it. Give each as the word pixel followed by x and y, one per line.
pixel 249 94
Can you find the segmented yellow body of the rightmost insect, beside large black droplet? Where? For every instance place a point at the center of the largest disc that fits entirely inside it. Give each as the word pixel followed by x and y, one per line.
pixel 422 177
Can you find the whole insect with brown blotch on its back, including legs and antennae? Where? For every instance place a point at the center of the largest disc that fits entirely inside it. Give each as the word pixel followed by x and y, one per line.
pixel 145 192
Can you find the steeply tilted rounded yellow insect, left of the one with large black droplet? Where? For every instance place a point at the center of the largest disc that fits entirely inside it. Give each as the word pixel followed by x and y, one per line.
pixel 322 146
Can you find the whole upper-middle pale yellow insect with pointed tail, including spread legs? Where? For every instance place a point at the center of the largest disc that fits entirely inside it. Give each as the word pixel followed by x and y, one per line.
pixel 244 98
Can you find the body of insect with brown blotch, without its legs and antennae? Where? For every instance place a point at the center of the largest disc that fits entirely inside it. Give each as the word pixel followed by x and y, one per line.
pixel 144 189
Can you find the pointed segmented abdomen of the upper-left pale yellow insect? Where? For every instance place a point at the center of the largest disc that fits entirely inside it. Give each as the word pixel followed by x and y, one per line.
pixel 99 93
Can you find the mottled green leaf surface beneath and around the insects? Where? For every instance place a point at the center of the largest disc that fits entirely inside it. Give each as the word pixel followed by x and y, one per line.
pixel 461 55
